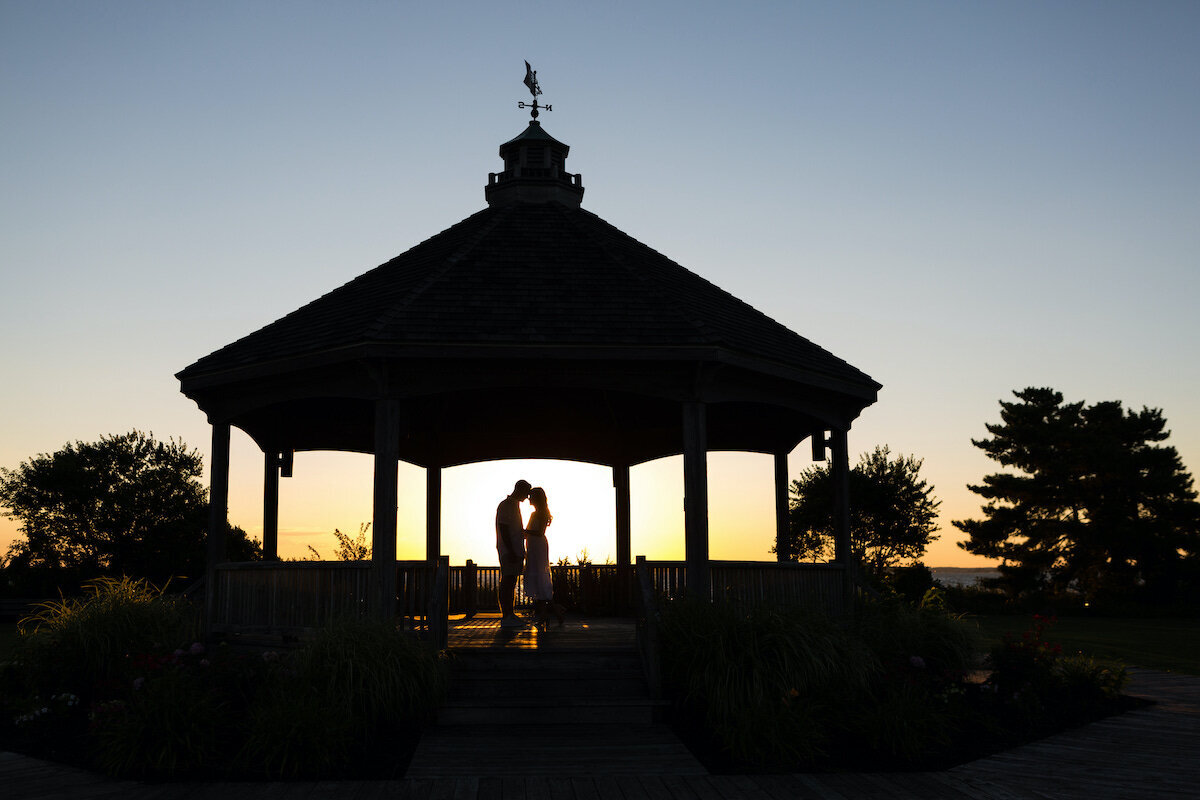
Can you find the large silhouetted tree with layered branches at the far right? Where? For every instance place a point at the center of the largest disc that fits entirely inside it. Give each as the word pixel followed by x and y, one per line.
pixel 1090 503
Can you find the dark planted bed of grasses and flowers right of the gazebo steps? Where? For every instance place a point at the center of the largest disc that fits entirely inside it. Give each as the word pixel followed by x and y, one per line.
pixel 898 689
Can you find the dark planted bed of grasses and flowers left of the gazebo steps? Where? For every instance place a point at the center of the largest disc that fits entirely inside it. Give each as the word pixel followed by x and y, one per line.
pixel 118 682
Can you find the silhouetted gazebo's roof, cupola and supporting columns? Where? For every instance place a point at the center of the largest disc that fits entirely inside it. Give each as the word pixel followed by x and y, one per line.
pixel 533 309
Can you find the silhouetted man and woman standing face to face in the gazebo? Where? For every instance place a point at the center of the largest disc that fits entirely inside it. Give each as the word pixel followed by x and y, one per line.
pixel 525 551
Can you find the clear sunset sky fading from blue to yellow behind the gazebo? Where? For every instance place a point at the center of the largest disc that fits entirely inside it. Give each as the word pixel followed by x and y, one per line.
pixel 959 199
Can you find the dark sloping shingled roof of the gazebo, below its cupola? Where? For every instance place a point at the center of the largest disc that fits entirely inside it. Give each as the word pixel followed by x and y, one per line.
pixel 531 275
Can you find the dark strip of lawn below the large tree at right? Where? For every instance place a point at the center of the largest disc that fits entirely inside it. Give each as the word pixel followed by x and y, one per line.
pixel 1168 645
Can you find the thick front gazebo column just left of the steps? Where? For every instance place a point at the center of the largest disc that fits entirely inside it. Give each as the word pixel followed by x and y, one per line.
pixel 383 527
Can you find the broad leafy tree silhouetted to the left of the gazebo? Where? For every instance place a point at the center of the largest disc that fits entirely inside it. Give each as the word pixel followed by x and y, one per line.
pixel 125 504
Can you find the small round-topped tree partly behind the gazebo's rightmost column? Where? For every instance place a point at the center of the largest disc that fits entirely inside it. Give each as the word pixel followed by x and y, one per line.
pixel 893 513
